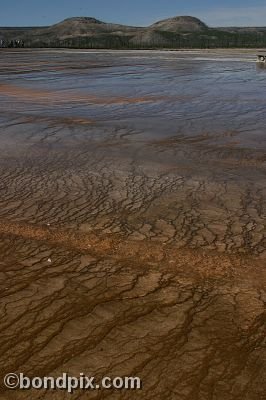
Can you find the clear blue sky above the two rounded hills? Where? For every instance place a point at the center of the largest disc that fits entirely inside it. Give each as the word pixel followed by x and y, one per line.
pixel 133 12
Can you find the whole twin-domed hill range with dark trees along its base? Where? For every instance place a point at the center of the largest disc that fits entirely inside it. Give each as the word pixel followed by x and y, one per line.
pixel 177 32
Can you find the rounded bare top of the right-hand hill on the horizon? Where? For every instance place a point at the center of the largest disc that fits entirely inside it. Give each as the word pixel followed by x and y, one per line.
pixel 181 24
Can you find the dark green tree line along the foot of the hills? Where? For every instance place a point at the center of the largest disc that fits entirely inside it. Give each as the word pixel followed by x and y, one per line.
pixel 207 39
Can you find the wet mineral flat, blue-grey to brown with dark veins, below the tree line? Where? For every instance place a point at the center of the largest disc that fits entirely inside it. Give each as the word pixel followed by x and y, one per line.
pixel 132 221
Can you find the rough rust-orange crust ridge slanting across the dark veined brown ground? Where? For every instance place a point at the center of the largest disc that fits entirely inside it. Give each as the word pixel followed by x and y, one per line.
pixel 116 247
